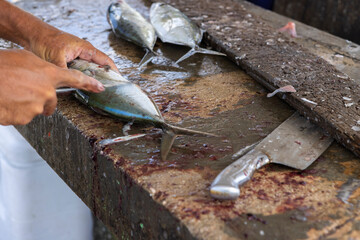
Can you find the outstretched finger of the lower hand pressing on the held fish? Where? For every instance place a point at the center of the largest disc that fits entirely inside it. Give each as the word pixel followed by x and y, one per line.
pixel 76 79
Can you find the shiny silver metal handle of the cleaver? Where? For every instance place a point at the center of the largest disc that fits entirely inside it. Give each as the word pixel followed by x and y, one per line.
pixel 226 184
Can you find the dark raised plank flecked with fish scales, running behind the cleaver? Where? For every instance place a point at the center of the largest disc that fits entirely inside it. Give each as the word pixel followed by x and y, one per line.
pixel 275 61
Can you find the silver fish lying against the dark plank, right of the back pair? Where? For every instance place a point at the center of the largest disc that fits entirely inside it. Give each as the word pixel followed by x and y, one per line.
pixel 172 26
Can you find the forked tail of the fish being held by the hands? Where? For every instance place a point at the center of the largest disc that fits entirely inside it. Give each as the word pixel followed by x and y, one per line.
pixel 170 133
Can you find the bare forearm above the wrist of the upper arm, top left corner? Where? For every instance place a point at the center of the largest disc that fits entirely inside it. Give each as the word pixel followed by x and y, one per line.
pixel 21 27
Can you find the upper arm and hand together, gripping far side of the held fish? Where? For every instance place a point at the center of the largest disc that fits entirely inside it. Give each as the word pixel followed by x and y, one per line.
pixel 46 41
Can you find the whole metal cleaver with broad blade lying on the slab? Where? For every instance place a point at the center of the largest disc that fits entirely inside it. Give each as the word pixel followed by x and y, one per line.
pixel 296 143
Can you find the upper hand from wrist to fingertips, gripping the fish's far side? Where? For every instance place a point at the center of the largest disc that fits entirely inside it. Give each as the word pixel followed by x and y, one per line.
pixel 60 48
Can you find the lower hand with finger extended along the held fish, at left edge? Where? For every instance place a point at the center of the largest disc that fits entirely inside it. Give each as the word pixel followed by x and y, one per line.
pixel 28 86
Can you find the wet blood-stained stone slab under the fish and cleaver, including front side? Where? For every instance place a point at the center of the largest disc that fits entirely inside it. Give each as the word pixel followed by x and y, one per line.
pixel 128 186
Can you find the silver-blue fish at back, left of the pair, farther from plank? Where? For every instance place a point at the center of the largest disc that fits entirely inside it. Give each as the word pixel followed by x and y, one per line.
pixel 129 24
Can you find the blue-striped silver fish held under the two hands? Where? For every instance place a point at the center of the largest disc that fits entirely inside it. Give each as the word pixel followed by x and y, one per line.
pixel 124 99
